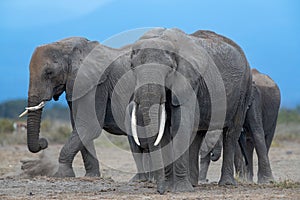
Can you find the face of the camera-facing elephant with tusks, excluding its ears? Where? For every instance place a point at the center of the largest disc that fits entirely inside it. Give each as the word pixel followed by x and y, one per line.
pixel 151 65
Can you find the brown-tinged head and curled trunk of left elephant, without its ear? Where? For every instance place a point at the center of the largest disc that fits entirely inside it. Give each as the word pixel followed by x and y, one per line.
pixel 52 71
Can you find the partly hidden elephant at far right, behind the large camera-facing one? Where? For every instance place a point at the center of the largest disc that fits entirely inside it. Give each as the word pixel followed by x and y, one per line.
pixel 259 129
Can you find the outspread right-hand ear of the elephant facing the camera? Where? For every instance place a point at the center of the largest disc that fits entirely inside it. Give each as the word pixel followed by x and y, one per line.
pixel 191 63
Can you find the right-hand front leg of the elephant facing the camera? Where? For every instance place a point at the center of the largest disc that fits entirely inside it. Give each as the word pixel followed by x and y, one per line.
pixel 181 134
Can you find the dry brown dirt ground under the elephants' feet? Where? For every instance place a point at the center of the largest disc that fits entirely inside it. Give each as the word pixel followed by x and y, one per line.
pixel 117 167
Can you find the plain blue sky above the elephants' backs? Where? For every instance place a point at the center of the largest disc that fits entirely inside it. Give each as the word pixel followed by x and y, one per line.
pixel 268 31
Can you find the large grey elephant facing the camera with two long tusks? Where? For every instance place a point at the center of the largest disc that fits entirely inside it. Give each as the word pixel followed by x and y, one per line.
pixel 186 85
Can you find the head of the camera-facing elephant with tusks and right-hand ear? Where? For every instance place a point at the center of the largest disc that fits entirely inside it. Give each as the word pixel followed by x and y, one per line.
pixel 167 67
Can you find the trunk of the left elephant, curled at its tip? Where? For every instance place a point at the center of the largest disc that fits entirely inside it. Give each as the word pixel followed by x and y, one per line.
pixel 34 143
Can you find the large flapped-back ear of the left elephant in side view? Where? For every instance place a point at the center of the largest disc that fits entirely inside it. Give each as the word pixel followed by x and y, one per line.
pixel 91 66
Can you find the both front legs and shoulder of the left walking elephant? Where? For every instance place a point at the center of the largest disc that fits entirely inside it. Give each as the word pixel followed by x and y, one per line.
pixel 87 118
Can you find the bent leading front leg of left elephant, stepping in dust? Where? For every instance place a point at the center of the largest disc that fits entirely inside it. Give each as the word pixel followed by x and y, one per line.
pixel 67 154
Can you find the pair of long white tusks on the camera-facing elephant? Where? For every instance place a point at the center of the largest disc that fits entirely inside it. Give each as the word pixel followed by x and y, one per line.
pixel 161 124
